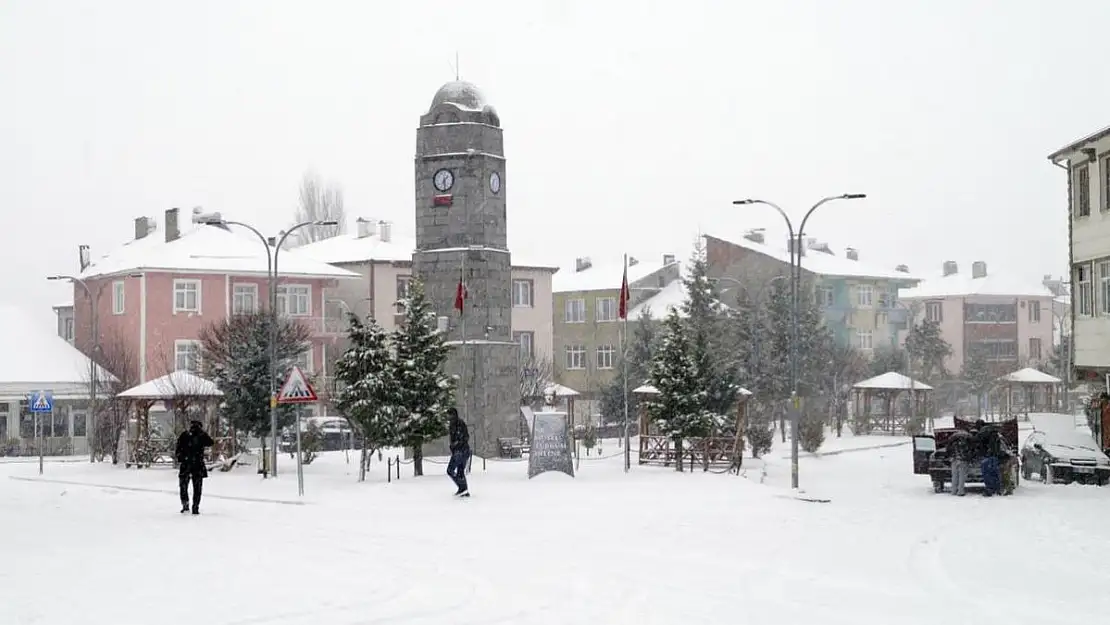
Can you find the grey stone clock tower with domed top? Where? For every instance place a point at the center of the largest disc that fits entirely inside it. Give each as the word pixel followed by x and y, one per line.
pixel 462 239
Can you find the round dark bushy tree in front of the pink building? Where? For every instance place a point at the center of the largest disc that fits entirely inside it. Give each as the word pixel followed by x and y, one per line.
pixel 236 356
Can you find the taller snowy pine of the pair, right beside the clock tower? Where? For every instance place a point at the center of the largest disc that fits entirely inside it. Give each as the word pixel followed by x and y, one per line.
pixel 426 390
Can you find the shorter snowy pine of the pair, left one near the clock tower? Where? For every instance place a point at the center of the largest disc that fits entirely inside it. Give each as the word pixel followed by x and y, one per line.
pixel 367 391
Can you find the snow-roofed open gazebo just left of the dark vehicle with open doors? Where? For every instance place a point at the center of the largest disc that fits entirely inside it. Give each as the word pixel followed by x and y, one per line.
pixel 887 391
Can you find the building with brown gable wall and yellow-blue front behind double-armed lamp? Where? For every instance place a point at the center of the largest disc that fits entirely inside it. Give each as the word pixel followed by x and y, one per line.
pixel 861 303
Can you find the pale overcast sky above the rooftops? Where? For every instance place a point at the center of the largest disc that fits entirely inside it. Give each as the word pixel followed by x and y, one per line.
pixel 629 126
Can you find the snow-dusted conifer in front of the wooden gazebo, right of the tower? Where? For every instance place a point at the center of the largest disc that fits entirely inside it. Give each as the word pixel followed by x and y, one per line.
pixel 679 410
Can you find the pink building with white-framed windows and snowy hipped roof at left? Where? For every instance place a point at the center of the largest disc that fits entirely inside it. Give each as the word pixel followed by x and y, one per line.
pixel 155 294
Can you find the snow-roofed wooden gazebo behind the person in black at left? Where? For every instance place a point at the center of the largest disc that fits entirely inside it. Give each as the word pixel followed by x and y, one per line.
pixel 189 398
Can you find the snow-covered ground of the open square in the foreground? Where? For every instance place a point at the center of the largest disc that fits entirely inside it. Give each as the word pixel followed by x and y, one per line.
pixel 648 548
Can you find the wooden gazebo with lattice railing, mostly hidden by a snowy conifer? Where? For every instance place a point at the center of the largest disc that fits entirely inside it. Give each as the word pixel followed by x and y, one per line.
pixel 708 451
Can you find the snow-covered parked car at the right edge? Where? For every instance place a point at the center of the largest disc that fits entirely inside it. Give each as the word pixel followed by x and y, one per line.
pixel 1065 457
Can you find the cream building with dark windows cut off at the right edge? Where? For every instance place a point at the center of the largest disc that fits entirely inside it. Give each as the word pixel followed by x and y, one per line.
pixel 1087 167
